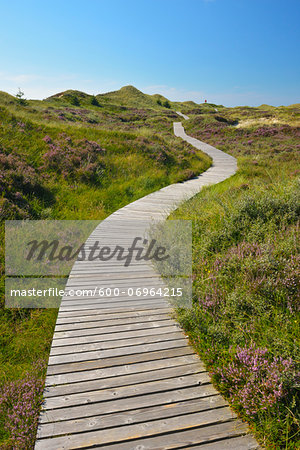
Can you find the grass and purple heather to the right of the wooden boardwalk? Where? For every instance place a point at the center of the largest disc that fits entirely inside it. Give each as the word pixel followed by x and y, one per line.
pixel 246 269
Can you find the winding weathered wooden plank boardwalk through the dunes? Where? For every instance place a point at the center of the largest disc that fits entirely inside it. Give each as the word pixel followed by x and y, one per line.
pixel 121 374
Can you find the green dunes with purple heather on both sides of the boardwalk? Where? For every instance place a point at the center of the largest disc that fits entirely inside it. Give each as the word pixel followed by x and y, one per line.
pixel 78 156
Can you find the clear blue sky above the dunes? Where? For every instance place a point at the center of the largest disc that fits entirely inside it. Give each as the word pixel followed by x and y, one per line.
pixel 231 52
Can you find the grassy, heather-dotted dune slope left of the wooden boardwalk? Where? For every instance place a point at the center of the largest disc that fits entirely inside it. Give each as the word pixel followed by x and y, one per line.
pixel 66 159
